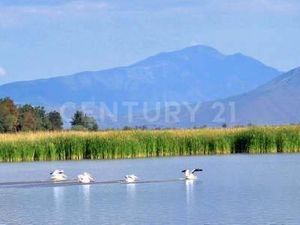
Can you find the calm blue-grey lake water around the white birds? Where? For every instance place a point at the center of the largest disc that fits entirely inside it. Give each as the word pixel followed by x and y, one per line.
pixel 232 190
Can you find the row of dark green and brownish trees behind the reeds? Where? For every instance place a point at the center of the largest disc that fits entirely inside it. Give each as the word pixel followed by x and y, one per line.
pixel 17 118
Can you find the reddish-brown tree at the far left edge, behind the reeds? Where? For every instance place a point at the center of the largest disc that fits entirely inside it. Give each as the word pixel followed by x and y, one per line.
pixel 8 115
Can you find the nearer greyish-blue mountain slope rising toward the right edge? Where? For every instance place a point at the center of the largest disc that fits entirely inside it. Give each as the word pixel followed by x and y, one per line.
pixel 274 103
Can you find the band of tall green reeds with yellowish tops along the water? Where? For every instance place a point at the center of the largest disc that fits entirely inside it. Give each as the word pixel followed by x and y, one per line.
pixel 136 144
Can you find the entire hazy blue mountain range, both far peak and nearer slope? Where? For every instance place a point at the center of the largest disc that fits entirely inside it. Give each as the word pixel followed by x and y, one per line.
pixel 232 89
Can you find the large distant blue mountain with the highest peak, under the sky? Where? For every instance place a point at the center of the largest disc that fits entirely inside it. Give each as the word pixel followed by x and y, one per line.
pixel 193 74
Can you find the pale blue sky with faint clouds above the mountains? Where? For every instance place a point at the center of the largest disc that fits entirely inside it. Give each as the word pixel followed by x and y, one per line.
pixel 46 38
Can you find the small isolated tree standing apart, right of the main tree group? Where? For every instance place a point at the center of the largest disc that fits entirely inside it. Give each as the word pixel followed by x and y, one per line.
pixel 81 121
